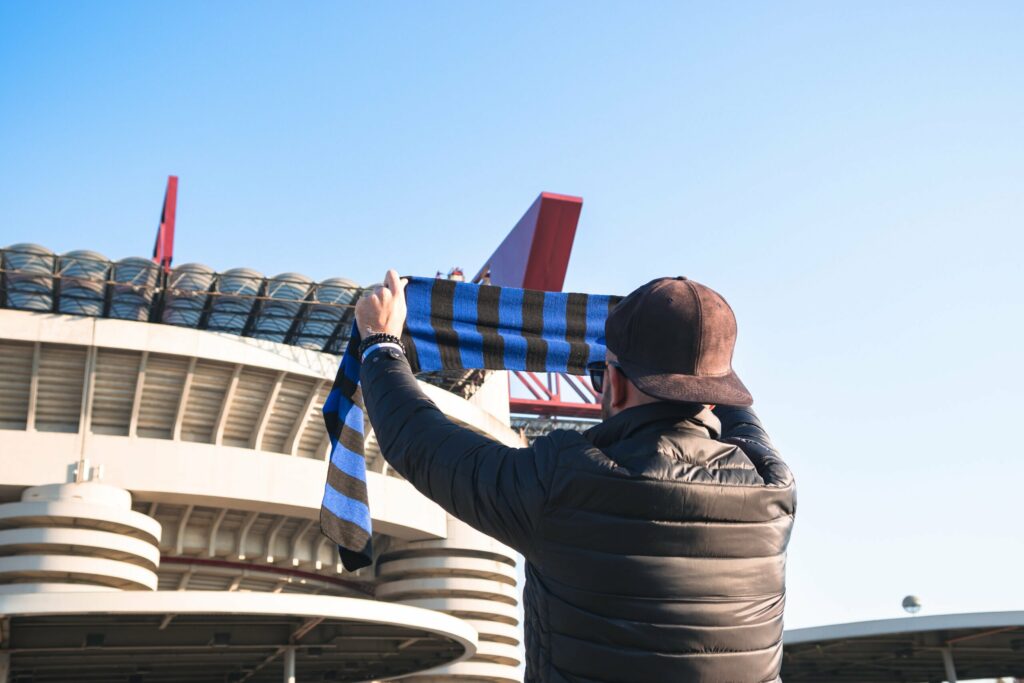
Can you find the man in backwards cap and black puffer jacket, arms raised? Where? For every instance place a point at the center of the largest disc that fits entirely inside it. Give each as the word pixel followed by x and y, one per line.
pixel 656 542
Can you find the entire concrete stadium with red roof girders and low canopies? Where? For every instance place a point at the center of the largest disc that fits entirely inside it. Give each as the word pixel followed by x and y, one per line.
pixel 164 461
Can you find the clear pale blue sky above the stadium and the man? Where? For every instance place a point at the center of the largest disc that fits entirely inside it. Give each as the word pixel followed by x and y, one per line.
pixel 849 176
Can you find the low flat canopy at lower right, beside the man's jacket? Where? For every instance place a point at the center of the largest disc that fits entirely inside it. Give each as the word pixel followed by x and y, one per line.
pixel 912 650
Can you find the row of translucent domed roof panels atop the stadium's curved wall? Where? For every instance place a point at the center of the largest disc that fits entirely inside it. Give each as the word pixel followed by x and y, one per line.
pixel 288 309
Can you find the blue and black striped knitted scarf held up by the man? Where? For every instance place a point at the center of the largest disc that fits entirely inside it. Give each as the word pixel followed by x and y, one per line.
pixel 452 326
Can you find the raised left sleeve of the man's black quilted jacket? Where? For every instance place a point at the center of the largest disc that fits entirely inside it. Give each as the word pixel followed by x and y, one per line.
pixel 491 487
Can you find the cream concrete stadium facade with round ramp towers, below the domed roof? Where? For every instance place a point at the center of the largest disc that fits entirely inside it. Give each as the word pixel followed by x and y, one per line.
pixel 160 492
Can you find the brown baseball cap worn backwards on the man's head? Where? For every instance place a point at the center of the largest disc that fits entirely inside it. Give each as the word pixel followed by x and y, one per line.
pixel 674 340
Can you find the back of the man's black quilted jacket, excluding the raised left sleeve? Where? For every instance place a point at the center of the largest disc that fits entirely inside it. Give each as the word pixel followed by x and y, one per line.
pixel 661 554
